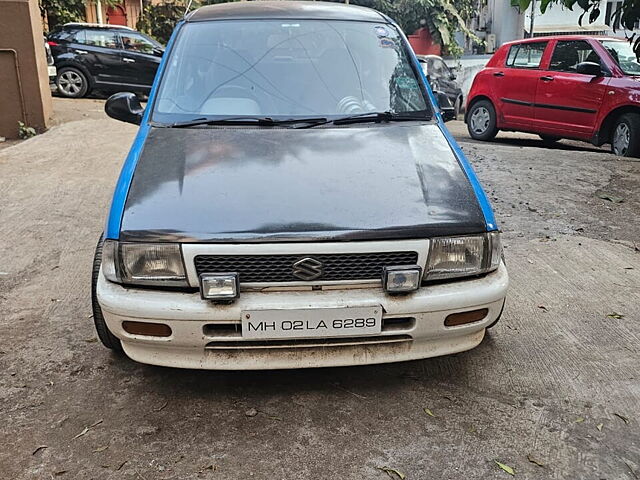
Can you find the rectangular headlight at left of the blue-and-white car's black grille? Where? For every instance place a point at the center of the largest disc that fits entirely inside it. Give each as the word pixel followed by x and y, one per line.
pixel 158 264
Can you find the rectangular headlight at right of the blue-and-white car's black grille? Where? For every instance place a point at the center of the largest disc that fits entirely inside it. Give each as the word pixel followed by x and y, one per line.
pixel 452 257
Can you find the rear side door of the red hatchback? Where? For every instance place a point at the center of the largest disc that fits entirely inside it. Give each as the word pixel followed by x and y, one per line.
pixel 515 84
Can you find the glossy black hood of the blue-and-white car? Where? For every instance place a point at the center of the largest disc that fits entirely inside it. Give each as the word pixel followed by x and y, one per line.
pixel 373 181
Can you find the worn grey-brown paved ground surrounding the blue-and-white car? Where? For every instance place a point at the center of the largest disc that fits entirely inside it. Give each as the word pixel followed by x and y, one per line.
pixel 553 391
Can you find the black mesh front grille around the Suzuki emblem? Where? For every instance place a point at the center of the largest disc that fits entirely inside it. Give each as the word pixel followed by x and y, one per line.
pixel 279 268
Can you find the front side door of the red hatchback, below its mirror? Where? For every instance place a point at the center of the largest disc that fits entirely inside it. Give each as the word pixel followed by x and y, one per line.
pixel 567 102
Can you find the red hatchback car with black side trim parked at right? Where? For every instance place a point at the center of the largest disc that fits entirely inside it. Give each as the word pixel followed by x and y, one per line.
pixel 579 87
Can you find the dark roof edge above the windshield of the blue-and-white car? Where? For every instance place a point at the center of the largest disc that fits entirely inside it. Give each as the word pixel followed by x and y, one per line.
pixel 285 10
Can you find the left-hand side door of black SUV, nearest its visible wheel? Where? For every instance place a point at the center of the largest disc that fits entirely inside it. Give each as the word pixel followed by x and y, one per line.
pixel 97 50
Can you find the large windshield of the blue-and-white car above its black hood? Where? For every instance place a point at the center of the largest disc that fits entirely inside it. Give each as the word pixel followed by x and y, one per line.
pixel 287 69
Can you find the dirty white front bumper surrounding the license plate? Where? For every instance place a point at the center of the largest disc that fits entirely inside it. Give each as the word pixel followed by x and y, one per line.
pixel 194 345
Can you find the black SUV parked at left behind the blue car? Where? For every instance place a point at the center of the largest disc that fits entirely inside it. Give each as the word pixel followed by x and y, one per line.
pixel 103 57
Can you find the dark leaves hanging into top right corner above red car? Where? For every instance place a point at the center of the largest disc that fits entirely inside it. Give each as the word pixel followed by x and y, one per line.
pixel 626 15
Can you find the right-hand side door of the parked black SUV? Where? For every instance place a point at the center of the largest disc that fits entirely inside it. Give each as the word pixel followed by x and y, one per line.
pixel 140 57
